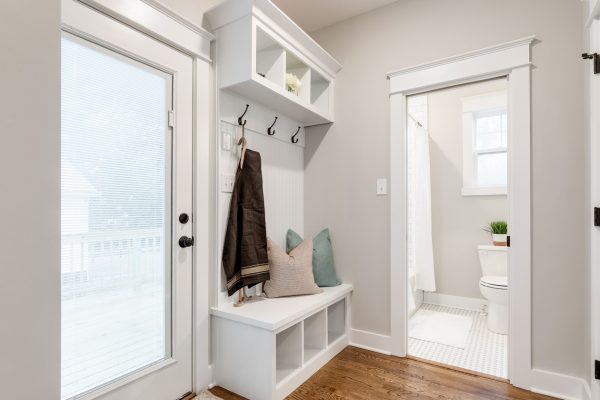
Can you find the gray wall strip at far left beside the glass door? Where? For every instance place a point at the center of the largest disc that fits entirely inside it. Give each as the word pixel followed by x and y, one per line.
pixel 30 200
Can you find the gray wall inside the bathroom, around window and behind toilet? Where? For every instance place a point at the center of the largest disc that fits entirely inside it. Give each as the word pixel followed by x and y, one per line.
pixel 456 219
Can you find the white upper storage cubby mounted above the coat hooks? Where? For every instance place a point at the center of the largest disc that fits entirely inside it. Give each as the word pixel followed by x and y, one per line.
pixel 265 57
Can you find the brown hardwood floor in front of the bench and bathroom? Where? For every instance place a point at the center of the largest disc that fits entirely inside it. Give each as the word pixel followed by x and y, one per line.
pixel 360 374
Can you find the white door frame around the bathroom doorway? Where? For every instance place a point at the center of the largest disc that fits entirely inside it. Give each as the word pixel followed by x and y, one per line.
pixel 511 59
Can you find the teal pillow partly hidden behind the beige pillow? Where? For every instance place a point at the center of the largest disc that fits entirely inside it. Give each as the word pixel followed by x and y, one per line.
pixel 323 266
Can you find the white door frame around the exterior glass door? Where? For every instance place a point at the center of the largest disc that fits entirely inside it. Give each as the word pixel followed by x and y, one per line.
pixel 159 22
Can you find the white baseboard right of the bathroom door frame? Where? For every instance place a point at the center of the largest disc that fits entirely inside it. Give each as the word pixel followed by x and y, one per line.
pixel 559 385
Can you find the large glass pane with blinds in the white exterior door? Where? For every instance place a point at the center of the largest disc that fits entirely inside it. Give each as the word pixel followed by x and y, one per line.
pixel 115 216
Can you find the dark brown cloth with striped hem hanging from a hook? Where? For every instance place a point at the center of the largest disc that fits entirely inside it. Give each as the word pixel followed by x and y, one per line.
pixel 245 249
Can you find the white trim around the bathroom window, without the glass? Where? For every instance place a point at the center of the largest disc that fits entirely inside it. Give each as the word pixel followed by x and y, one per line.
pixel 472 106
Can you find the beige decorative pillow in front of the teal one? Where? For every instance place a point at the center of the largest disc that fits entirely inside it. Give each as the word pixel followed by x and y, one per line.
pixel 291 275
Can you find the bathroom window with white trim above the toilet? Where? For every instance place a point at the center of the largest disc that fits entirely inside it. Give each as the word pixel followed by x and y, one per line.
pixel 485 147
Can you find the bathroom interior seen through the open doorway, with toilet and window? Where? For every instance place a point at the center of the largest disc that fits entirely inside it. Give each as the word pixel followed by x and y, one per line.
pixel 457 232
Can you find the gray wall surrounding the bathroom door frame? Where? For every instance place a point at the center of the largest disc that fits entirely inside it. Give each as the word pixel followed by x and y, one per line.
pixel 343 163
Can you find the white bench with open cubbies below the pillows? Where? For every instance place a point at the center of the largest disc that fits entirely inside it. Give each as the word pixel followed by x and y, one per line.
pixel 267 348
